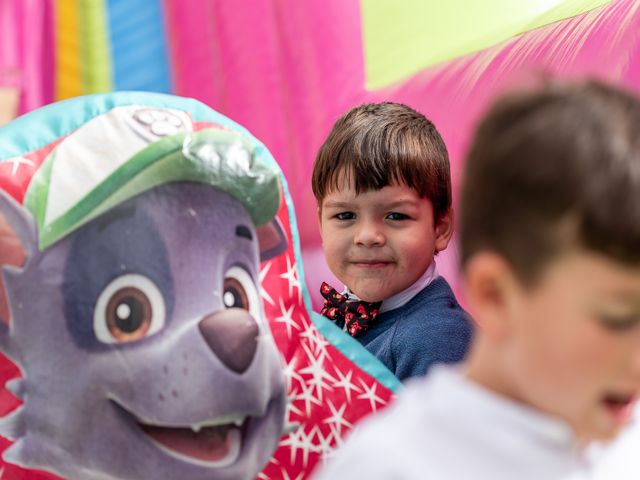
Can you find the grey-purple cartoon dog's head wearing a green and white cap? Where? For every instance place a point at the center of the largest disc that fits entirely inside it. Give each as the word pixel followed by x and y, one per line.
pixel 135 317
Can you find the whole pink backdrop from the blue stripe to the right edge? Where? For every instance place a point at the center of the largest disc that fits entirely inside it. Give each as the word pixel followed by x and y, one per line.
pixel 287 69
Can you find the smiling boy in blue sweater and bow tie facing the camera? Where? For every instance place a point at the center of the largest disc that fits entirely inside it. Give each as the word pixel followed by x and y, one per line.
pixel 383 188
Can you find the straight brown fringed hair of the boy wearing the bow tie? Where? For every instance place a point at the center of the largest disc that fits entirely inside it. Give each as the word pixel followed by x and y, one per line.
pixel 379 144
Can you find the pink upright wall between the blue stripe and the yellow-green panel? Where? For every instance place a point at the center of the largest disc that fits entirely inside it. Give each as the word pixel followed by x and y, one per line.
pixel 284 69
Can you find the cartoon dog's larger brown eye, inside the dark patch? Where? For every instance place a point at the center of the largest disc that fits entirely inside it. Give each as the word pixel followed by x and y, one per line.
pixel 129 308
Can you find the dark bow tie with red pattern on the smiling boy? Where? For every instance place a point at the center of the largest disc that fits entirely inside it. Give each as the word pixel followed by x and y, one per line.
pixel 357 315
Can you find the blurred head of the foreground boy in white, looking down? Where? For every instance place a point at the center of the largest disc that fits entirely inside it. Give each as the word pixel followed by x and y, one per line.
pixel 550 238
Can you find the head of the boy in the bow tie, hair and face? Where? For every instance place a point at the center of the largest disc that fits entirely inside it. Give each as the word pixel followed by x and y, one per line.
pixel 383 187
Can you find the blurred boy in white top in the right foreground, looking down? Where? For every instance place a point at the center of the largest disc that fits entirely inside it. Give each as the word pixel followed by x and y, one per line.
pixel 550 232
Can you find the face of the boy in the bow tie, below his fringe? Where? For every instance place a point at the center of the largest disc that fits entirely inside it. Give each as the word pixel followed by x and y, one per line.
pixel 380 242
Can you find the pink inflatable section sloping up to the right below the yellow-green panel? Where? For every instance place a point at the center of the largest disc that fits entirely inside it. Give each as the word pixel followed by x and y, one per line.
pixel 601 43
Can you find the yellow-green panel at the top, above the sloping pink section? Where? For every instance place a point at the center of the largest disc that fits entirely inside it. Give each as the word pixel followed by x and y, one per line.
pixel 403 38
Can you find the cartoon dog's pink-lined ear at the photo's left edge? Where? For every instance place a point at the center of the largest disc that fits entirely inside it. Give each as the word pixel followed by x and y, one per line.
pixel 17 243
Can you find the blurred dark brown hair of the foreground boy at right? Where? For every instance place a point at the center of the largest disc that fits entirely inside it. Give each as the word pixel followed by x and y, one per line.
pixel 551 169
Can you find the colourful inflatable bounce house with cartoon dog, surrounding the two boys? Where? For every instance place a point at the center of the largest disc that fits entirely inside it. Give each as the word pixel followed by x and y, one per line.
pixel 159 251
